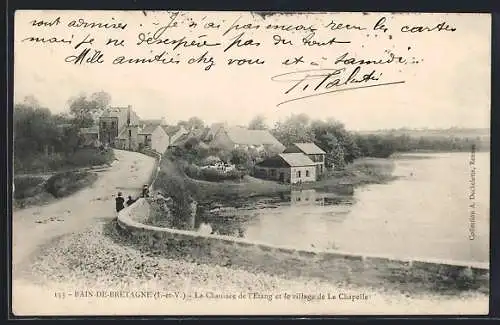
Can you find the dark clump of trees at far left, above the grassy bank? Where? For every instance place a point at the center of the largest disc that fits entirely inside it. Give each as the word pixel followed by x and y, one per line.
pixel 50 142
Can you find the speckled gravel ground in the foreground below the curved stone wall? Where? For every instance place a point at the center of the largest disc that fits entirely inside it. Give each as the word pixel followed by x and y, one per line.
pixel 96 259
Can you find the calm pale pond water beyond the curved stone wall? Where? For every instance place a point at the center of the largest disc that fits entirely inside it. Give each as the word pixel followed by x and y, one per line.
pixel 425 213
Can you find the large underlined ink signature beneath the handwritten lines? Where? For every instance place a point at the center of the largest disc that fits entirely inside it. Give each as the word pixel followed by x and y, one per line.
pixel 316 82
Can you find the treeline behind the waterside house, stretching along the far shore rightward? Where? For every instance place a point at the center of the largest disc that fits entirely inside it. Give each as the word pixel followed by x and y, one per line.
pixel 343 147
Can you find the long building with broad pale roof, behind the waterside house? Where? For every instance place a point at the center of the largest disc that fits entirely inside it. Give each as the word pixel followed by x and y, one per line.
pixel 229 138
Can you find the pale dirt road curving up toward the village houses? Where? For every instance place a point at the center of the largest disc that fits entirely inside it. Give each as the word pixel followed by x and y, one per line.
pixel 35 226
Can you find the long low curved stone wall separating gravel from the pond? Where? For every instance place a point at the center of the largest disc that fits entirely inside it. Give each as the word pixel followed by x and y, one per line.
pixel 338 267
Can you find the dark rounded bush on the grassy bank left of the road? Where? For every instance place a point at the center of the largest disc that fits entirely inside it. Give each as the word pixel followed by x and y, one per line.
pixel 67 183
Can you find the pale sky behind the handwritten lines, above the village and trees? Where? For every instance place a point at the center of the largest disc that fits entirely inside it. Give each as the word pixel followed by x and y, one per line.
pixel 449 87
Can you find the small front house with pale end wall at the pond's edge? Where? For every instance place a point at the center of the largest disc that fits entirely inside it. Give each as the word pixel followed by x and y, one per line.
pixel 290 168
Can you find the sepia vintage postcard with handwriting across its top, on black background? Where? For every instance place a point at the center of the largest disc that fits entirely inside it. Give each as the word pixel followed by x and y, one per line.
pixel 250 163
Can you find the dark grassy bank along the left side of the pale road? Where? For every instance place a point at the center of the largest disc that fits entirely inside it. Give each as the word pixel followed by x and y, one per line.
pixel 64 180
